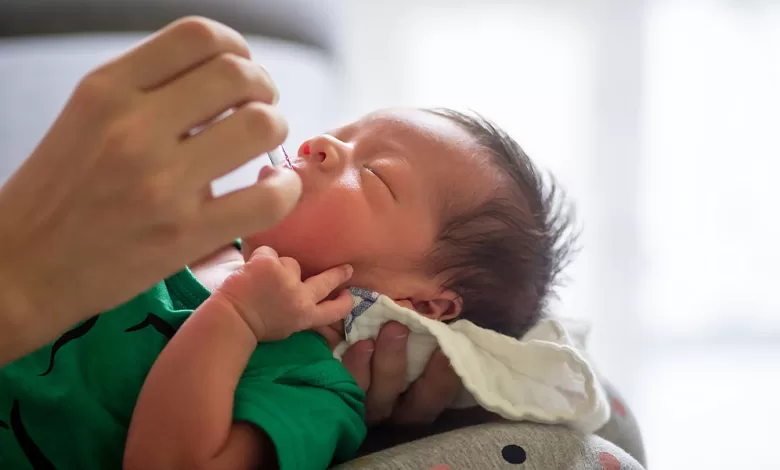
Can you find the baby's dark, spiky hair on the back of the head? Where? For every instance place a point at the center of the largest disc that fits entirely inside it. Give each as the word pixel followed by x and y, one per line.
pixel 504 256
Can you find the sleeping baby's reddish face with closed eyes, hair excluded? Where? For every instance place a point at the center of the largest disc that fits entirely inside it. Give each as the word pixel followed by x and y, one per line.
pixel 374 195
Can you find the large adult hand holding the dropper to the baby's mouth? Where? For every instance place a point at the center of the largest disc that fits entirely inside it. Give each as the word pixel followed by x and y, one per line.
pixel 117 194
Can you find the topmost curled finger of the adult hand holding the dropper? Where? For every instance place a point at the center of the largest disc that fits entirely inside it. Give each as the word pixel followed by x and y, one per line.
pixel 175 49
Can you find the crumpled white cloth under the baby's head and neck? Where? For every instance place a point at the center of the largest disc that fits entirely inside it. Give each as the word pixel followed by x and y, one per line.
pixel 543 377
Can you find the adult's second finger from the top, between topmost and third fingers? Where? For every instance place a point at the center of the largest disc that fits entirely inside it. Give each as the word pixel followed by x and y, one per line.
pixel 223 82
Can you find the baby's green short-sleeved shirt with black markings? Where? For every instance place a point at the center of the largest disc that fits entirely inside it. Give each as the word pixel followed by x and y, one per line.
pixel 68 405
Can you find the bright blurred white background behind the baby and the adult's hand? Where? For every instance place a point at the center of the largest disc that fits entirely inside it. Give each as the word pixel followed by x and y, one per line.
pixel 660 117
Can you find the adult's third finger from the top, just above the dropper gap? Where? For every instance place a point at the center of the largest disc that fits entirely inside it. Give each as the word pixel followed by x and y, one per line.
pixel 252 129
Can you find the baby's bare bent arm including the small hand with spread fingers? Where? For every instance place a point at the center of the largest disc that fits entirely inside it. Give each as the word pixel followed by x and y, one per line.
pixel 184 414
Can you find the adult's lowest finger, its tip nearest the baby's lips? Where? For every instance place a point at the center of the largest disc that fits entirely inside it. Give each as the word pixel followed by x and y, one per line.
pixel 251 209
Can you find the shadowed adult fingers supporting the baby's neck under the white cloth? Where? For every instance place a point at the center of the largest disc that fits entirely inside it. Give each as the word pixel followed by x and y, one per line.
pixel 380 369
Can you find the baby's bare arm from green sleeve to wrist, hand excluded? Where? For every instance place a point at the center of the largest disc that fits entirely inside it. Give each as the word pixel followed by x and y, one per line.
pixel 184 414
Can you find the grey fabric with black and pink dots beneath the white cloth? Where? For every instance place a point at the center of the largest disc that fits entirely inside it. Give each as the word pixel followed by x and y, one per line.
pixel 616 446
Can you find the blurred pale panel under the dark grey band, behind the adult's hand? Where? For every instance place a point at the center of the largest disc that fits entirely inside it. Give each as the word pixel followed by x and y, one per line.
pixel 40 73
